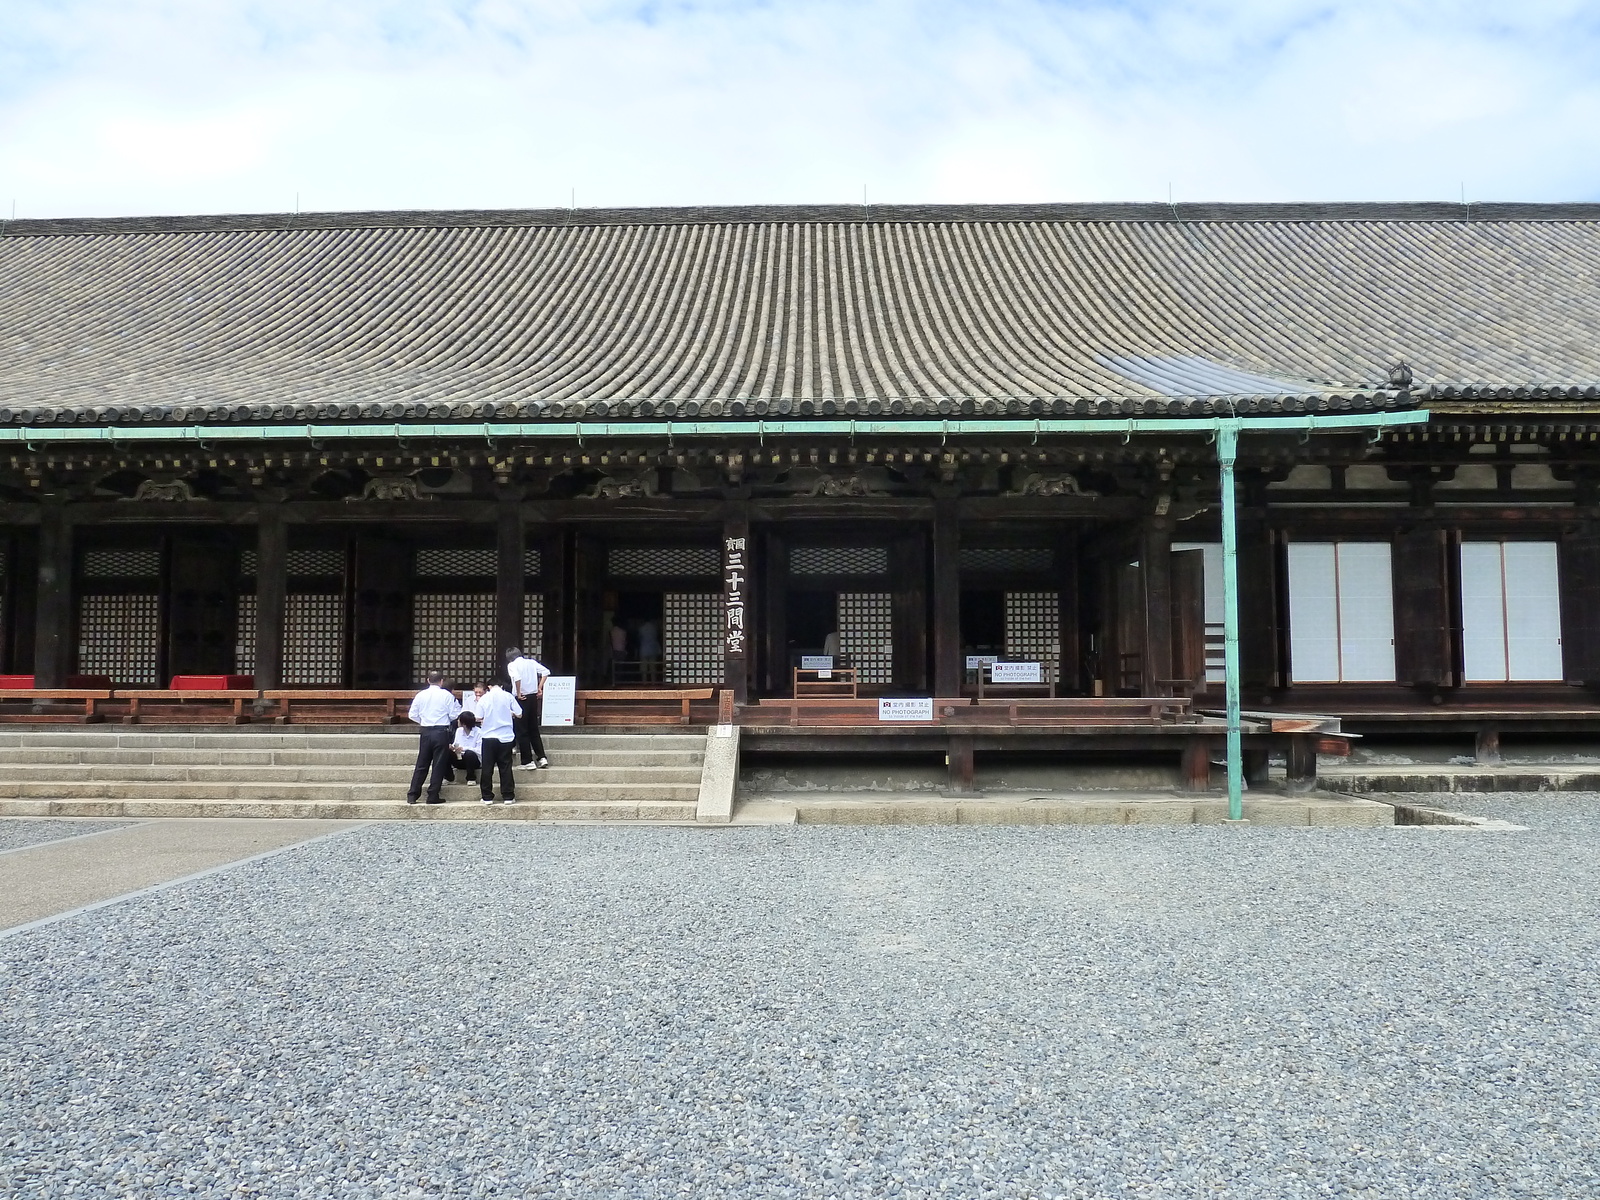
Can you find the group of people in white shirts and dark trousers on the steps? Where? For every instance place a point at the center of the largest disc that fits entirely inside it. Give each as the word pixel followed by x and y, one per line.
pixel 479 734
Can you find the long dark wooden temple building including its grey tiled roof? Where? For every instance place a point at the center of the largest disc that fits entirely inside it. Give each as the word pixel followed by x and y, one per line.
pixel 700 446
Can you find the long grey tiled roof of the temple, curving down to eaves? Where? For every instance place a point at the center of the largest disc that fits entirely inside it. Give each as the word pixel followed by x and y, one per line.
pixel 1095 310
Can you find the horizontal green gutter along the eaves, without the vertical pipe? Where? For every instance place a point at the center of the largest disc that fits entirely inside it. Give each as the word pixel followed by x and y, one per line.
pixel 582 431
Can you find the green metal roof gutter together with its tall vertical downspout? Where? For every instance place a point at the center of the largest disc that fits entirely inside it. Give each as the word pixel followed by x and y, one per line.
pixel 1226 433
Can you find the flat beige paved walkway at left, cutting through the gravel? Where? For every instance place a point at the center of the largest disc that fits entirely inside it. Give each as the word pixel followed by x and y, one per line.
pixel 70 873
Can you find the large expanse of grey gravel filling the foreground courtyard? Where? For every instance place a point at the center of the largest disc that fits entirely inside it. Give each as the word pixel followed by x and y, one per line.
pixel 828 1012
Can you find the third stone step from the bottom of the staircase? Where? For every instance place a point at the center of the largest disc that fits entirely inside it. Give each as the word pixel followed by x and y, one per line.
pixel 390 775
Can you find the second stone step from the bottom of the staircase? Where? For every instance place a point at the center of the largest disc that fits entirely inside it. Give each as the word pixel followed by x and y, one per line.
pixel 529 785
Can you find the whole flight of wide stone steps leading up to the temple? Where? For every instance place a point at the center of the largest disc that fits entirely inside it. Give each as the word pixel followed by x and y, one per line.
pixel 273 772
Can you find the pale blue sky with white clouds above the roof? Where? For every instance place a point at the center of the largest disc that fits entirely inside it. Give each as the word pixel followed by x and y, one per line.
pixel 231 106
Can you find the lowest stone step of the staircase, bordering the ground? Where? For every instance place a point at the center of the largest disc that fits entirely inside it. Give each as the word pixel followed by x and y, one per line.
pixel 382 810
